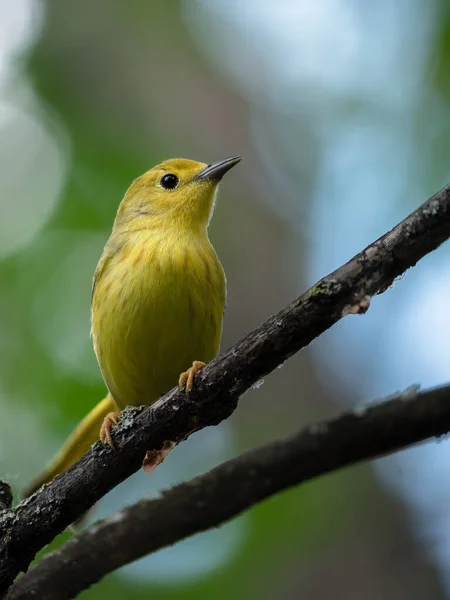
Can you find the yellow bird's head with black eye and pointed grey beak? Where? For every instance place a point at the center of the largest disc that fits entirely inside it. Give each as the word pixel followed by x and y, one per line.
pixel 177 191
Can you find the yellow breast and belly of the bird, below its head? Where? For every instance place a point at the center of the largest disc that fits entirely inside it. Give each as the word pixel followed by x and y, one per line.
pixel 157 306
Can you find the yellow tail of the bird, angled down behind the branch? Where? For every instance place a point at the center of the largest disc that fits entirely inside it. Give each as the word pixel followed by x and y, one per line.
pixel 77 444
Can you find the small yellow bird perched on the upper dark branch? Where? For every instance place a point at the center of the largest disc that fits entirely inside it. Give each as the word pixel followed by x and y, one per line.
pixel 158 297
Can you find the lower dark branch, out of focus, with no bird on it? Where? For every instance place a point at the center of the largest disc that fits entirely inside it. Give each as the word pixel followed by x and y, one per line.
pixel 213 498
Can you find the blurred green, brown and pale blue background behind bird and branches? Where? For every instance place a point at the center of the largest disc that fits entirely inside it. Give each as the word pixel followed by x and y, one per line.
pixel 341 109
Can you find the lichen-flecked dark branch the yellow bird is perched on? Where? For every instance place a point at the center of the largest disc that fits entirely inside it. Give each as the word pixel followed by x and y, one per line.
pixel 39 519
